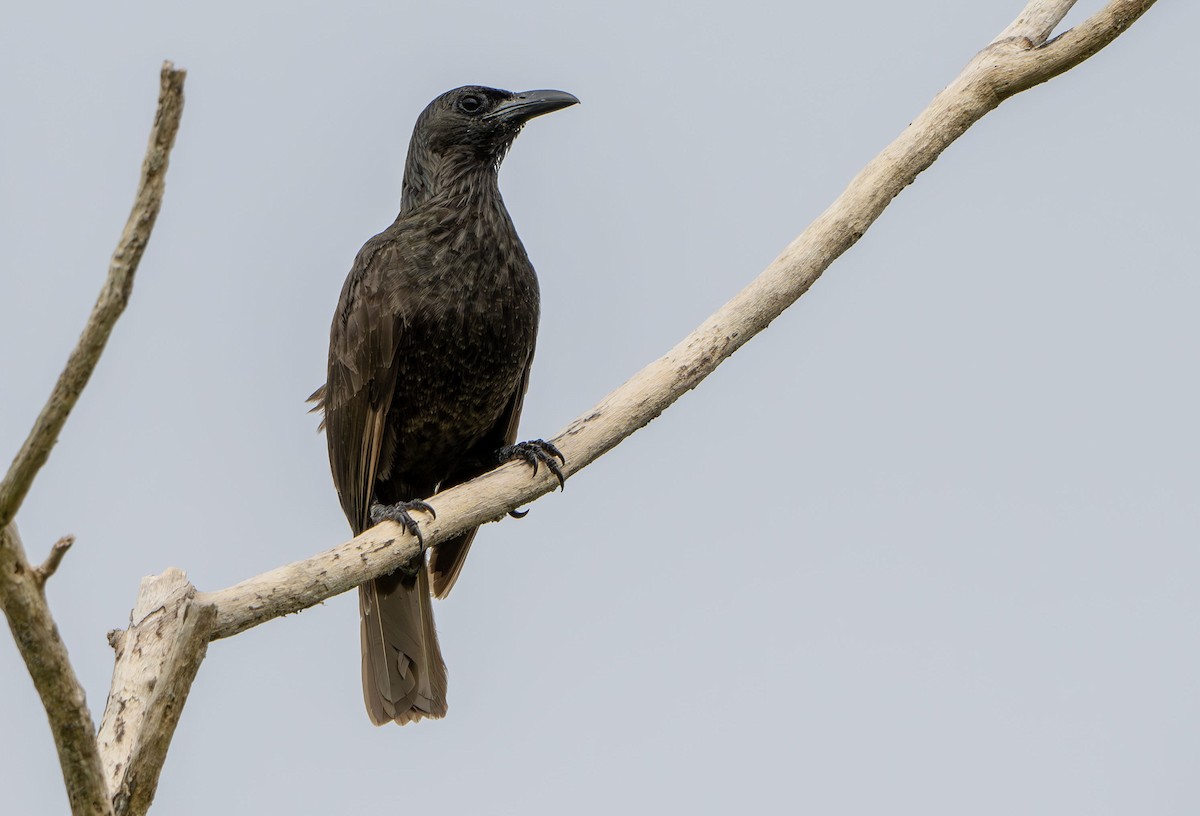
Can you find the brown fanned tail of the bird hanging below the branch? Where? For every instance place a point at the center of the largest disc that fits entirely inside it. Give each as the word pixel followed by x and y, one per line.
pixel 404 675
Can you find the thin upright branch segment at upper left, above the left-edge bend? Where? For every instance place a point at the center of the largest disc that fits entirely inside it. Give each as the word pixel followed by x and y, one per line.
pixel 113 298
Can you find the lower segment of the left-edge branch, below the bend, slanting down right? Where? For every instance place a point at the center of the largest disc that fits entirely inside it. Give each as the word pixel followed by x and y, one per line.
pixel 46 656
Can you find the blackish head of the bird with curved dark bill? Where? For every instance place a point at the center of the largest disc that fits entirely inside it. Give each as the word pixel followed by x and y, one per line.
pixel 471 128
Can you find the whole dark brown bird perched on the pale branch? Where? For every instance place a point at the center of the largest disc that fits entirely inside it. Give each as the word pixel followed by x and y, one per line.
pixel 430 353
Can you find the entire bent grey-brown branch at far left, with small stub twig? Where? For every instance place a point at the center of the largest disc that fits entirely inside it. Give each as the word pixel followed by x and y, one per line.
pixel 22 587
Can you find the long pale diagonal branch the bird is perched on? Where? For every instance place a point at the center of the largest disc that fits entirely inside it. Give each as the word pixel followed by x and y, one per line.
pixel 1015 62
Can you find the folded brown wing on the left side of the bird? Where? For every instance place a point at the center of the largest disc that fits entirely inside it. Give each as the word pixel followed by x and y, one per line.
pixel 362 377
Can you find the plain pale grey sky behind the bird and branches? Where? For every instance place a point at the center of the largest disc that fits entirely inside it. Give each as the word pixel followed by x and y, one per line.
pixel 929 545
